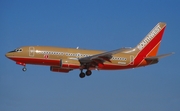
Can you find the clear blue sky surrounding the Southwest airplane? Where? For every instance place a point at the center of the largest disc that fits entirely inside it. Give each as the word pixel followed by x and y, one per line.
pixel 102 25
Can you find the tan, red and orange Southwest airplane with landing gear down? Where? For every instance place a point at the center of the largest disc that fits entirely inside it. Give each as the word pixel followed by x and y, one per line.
pixel 67 59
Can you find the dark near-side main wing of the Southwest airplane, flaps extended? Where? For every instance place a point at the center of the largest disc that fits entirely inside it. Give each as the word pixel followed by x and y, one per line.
pixel 99 58
